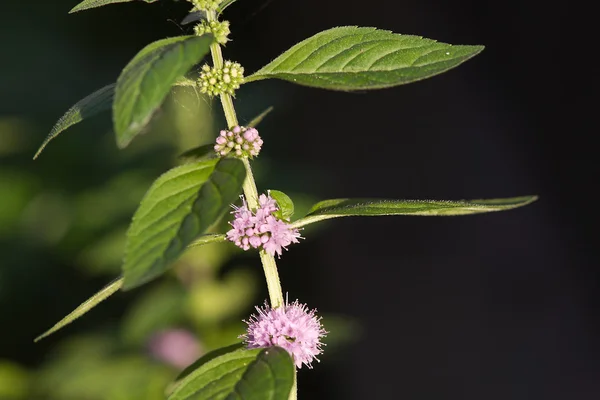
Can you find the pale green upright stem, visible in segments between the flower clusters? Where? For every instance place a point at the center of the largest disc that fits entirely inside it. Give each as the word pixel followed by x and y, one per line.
pixel 251 193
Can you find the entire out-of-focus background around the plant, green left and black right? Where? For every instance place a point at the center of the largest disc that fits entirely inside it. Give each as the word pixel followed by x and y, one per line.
pixel 496 306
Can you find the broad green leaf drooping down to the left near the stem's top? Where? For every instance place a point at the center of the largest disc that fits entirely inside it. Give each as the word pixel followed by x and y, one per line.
pixel 148 78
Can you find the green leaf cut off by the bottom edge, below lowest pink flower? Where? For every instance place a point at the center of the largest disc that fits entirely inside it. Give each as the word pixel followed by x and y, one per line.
pixel 234 373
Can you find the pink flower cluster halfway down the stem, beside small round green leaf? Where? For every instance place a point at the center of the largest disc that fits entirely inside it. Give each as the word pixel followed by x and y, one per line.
pixel 261 228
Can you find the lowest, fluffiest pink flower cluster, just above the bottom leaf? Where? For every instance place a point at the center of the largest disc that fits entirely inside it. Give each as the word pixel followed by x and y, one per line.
pixel 292 327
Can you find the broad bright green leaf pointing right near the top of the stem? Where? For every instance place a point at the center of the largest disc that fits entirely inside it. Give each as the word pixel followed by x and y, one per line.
pixel 352 58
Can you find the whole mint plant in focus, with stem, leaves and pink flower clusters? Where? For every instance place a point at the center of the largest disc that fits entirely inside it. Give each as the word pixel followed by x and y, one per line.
pixel 183 207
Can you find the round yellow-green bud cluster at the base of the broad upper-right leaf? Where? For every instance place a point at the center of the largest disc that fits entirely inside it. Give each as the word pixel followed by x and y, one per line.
pixel 217 81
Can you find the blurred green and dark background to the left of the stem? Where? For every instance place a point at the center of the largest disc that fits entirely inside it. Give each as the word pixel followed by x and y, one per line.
pixel 64 216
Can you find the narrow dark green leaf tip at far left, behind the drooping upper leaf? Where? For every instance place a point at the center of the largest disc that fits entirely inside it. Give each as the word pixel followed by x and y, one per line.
pixel 100 100
